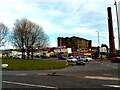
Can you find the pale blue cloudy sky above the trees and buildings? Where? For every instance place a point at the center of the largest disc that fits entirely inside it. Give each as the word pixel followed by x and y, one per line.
pixel 63 18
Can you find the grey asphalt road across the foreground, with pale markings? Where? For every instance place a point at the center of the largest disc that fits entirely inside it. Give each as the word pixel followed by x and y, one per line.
pixel 95 74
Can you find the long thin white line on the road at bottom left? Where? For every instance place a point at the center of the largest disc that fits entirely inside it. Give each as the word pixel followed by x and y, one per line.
pixel 25 84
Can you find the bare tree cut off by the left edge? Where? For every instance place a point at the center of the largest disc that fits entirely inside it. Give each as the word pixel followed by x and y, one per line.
pixel 3 33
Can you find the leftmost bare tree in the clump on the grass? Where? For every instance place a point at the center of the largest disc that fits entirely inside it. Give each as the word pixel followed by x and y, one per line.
pixel 18 36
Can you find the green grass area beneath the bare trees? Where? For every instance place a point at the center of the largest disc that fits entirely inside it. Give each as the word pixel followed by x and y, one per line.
pixel 21 64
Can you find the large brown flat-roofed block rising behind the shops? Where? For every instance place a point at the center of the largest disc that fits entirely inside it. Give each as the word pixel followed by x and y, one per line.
pixel 74 42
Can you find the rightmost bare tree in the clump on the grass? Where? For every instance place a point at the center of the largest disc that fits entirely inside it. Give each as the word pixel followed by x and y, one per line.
pixel 38 39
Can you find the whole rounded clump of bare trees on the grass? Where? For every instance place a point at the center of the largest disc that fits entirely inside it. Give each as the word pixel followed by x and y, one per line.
pixel 29 36
